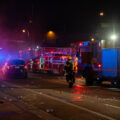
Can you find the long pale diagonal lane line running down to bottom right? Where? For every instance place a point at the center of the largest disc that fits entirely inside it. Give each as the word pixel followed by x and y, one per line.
pixel 68 103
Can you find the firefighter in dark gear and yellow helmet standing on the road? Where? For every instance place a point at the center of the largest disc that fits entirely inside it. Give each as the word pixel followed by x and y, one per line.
pixel 70 72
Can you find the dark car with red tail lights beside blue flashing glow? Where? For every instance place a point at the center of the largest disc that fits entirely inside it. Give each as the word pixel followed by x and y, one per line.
pixel 15 68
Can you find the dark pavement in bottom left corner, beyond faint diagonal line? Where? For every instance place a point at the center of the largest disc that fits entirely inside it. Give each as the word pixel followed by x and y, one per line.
pixel 9 111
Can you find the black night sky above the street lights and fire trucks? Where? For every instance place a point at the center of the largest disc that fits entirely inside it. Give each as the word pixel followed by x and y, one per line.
pixel 73 17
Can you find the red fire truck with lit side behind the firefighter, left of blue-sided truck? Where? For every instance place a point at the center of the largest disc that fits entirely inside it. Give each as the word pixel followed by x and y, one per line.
pixel 51 60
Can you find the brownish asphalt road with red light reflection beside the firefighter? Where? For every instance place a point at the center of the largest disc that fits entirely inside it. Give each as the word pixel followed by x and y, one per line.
pixel 48 97
